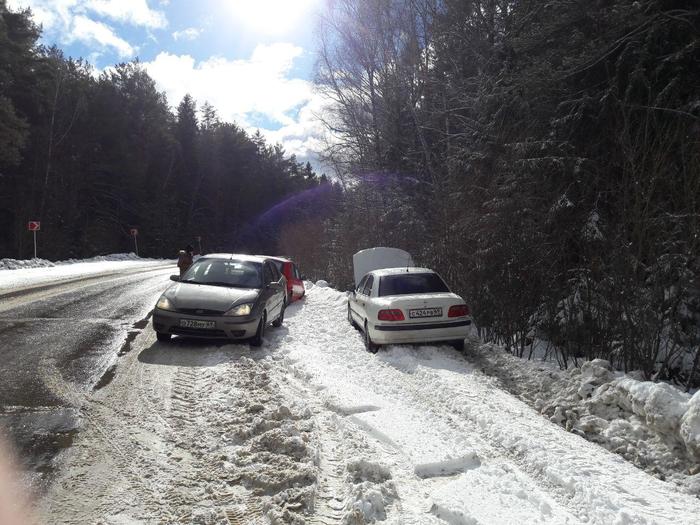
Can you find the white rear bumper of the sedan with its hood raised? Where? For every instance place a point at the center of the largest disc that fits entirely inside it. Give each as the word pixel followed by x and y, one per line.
pixel 419 333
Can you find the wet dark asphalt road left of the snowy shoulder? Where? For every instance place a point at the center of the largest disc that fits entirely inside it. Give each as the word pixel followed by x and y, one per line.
pixel 58 343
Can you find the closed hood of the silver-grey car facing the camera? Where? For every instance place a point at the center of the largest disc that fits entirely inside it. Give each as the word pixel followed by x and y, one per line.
pixel 206 297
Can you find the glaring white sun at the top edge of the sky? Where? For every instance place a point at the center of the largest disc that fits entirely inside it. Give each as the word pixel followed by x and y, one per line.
pixel 271 17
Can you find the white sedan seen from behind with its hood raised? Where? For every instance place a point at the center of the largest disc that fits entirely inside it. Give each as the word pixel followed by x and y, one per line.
pixel 407 305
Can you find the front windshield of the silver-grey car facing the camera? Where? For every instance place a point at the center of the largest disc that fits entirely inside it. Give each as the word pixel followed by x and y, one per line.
pixel 225 272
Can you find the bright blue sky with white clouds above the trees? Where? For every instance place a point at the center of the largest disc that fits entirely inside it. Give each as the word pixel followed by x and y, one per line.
pixel 252 59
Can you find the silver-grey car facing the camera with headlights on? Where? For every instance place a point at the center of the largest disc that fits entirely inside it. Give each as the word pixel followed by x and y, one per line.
pixel 225 296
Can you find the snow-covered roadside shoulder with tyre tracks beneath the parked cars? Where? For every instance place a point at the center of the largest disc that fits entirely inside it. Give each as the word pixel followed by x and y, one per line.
pixel 312 429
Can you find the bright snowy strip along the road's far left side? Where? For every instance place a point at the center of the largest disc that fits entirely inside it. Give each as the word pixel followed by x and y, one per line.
pixel 18 274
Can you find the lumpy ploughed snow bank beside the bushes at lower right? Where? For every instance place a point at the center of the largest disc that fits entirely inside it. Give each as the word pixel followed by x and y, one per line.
pixel 653 425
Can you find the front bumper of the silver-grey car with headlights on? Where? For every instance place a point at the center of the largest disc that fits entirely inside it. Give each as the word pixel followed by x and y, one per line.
pixel 225 327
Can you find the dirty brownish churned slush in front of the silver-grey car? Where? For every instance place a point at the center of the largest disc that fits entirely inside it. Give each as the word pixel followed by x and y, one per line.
pixel 190 435
